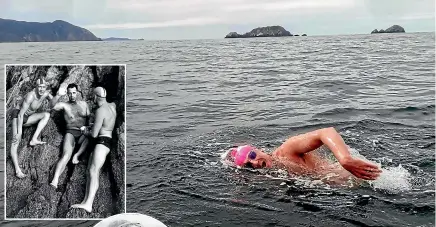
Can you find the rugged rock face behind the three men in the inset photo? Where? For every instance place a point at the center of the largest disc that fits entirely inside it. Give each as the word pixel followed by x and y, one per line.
pixel 32 196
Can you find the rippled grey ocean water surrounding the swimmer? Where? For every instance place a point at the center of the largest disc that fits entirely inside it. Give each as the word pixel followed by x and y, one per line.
pixel 190 100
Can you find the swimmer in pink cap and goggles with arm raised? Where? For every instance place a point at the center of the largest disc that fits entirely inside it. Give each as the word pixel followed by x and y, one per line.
pixel 297 156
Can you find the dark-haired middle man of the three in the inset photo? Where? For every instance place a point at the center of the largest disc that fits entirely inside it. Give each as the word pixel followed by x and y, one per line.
pixel 76 115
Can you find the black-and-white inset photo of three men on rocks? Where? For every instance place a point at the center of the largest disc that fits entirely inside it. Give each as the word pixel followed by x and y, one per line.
pixel 65 141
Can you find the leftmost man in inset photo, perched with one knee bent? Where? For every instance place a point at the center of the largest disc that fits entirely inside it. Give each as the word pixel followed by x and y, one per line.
pixel 29 114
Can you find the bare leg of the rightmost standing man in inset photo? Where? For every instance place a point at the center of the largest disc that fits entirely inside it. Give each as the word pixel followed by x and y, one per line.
pixel 99 157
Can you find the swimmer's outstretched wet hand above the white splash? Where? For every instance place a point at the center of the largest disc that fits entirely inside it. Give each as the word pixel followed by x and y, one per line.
pixel 361 169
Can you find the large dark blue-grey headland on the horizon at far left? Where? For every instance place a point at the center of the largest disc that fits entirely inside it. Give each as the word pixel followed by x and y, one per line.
pixel 22 31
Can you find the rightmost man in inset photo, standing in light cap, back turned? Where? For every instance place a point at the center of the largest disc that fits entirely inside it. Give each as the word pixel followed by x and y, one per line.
pixel 101 131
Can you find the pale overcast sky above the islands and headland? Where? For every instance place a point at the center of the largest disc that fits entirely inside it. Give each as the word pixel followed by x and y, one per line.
pixel 213 19
